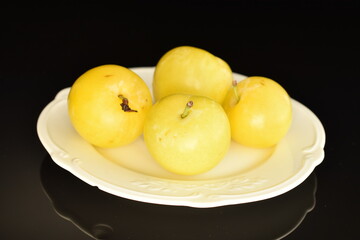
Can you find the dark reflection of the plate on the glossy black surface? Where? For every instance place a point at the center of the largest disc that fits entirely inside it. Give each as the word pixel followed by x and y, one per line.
pixel 105 216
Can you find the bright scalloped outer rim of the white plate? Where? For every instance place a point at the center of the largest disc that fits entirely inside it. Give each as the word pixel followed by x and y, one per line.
pixel 284 186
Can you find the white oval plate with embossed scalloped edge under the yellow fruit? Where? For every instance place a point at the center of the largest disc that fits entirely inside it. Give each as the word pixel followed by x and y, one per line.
pixel 244 175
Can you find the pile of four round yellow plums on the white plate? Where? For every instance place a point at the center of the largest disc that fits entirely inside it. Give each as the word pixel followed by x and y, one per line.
pixel 197 110
